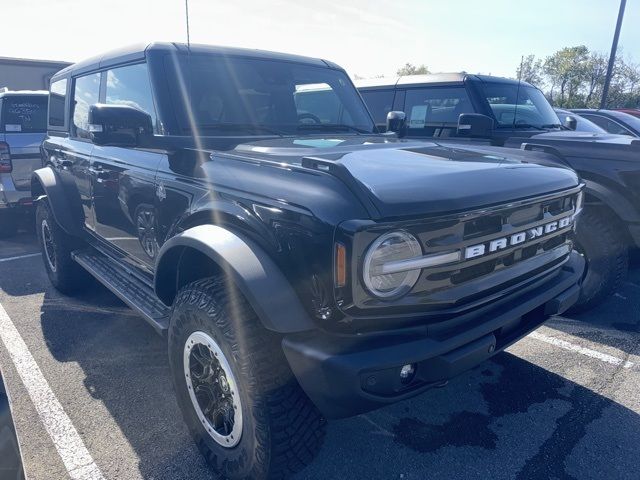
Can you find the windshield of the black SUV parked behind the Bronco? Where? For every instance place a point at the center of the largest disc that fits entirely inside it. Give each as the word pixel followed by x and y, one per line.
pixel 520 106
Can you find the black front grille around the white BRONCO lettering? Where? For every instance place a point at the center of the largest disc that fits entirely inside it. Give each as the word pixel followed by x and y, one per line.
pixel 479 278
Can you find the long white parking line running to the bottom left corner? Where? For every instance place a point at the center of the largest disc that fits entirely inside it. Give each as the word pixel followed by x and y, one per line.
pixel 65 437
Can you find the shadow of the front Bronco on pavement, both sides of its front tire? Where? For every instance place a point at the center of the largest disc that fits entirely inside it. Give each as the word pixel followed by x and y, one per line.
pixel 509 418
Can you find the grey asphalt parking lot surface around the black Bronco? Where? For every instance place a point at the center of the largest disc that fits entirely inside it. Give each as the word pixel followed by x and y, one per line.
pixel 563 403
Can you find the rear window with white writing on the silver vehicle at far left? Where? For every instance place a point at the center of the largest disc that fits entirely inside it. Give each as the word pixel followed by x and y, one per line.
pixel 24 114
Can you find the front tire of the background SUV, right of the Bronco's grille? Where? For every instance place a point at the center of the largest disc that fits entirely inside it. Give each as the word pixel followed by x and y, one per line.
pixel 607 258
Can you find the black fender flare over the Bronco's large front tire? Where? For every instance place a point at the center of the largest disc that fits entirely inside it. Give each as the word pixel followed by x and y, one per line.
pixel 255 274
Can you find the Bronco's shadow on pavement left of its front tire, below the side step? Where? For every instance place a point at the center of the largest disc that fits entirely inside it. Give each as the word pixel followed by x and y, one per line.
pixel 126 368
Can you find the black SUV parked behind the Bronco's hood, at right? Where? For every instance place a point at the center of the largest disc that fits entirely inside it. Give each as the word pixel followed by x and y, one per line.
pixel 492 111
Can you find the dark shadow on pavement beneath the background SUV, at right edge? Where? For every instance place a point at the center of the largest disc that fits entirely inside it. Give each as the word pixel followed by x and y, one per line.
pixel 615 322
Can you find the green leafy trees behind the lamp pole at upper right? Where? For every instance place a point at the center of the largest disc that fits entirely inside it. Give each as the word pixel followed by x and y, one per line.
pixel 573 77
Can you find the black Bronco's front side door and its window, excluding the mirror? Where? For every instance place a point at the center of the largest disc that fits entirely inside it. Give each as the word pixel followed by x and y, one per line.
pixel 123 179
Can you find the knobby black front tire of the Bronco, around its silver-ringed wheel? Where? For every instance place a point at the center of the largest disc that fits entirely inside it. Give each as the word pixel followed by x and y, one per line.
pixel 281 429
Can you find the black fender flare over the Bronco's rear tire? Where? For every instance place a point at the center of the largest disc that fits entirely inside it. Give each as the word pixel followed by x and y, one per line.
pixel 44 183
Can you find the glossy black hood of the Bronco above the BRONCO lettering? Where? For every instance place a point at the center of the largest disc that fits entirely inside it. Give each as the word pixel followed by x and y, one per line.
pixel 402 178
